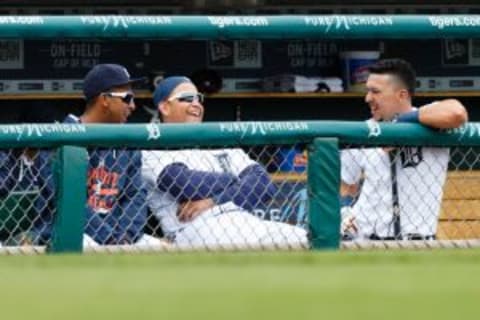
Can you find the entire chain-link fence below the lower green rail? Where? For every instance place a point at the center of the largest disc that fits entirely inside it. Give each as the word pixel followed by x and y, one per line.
pixel 250 198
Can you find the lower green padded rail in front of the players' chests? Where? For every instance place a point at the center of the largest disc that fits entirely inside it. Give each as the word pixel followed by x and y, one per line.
pixel 233 133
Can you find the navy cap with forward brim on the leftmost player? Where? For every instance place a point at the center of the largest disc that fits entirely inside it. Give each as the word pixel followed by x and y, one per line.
pixel 103 77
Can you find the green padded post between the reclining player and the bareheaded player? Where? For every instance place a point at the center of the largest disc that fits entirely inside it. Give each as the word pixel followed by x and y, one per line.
pixel 323 189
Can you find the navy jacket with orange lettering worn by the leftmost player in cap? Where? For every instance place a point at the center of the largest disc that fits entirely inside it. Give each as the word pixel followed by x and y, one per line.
pixel 116 209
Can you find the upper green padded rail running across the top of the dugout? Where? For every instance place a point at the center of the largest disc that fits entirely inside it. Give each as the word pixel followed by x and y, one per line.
pixel 240 27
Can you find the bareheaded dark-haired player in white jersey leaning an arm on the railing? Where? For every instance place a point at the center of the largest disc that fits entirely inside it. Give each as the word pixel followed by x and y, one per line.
pixel 400 189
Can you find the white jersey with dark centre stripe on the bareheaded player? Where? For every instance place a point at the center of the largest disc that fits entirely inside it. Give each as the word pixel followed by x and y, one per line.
pixel 421 174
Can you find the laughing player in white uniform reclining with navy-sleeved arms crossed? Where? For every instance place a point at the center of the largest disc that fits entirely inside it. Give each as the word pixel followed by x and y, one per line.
pixel 203 198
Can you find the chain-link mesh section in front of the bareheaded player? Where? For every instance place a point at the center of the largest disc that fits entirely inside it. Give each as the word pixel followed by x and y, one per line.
pixel 396 195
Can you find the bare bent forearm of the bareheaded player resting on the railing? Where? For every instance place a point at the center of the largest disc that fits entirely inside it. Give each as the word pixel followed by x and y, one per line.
pixel 444 114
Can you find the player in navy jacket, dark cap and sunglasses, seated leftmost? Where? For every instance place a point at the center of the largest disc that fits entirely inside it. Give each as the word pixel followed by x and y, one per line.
pixel 115 210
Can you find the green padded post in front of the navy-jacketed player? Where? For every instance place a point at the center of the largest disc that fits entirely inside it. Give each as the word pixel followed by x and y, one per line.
pixel 70 174
